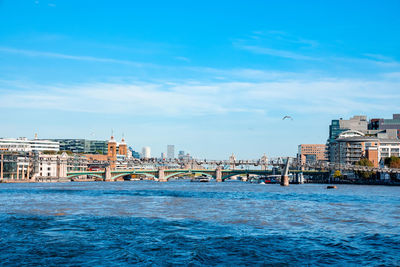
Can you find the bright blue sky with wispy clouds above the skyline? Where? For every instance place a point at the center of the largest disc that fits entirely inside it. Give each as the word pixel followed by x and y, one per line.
pixel 211 77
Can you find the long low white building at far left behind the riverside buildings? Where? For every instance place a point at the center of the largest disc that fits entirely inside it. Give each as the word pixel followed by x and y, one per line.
pixel 23 144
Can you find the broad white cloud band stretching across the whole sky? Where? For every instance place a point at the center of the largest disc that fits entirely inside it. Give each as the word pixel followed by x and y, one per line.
pixel 198 98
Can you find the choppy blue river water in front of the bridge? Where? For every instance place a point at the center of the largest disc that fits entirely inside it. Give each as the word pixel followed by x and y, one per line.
pixel 183 223
